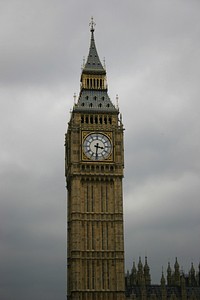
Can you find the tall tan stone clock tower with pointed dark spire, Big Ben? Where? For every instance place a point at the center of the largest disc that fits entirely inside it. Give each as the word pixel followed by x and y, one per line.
pixel 94 173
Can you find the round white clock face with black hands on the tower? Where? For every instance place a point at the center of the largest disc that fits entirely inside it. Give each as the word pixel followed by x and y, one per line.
pixel 97 146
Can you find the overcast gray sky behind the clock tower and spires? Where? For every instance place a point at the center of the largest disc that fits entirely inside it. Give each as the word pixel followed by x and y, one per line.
pixel 153 64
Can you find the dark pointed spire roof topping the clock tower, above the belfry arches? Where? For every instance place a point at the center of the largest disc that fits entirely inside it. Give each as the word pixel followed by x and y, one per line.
pixel 93 64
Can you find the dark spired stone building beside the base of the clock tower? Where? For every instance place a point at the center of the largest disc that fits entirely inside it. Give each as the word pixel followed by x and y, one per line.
pixel 177 285
